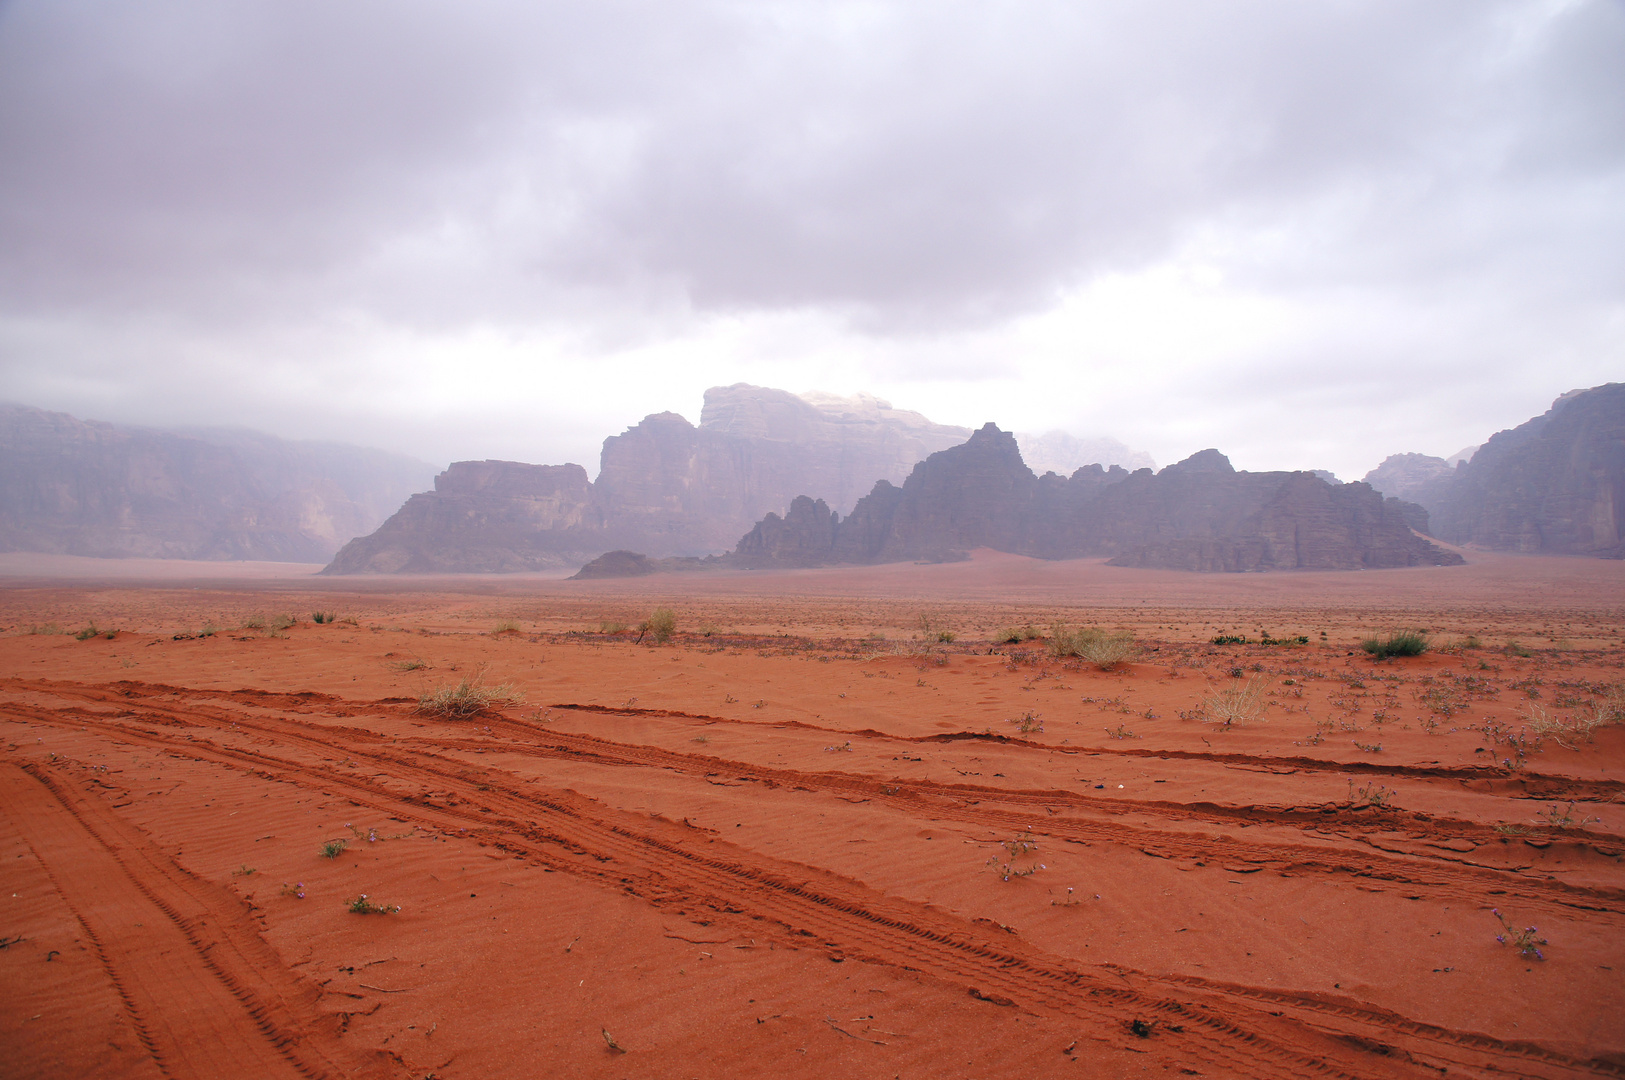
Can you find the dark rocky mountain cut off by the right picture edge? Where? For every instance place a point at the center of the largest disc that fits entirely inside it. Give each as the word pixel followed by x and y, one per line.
pixel 1554 485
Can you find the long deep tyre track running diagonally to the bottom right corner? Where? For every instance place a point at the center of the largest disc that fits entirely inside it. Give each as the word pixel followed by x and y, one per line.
pixel 656 863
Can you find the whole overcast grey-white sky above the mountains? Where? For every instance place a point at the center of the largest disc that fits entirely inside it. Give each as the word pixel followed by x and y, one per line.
pixel 1309 235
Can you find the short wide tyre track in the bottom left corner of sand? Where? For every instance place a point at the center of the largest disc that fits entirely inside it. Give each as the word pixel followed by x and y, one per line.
pixel 206 995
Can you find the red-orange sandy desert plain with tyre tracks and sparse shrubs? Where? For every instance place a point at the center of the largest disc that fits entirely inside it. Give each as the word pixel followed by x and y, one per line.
pixel 808 837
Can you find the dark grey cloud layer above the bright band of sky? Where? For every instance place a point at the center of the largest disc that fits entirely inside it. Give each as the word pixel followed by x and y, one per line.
pixel 916 165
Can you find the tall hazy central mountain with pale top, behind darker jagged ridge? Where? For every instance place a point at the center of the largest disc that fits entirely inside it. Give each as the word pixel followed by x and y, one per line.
pixel 665 486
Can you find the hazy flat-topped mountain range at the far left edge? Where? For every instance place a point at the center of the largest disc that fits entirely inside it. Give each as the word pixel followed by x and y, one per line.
pixel 85 488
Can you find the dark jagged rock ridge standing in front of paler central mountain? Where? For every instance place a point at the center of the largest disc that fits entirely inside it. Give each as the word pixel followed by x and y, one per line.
pixel 1195 516
